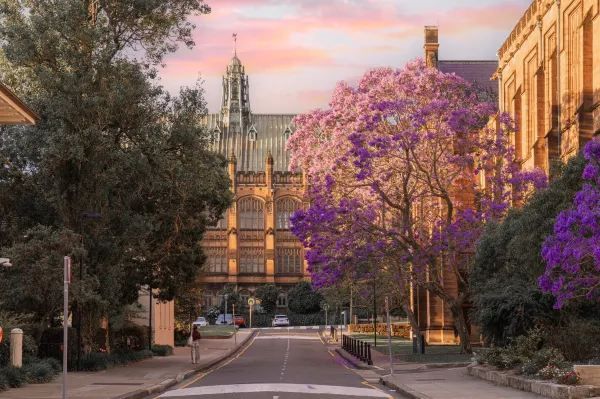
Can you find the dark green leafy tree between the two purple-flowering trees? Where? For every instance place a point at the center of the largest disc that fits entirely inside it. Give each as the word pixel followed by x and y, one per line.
pixel 507 300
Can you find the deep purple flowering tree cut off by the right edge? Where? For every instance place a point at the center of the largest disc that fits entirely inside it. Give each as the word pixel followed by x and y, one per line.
pixel 572 252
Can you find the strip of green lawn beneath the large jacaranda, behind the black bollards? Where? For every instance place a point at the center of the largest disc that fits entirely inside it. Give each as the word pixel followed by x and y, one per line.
pixel 402 349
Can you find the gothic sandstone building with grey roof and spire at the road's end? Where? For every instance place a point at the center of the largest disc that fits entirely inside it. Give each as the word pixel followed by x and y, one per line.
pixel 252 244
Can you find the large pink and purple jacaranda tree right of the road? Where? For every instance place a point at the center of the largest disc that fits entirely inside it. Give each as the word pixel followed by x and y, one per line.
pixel 405 170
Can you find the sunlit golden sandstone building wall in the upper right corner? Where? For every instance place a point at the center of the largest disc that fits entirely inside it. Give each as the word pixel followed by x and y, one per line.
pixel 549 80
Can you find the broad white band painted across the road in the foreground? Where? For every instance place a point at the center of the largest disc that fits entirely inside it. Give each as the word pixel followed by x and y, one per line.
pixel 288 388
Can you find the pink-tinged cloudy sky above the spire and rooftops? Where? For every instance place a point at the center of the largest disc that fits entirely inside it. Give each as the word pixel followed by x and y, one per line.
pixel 295 51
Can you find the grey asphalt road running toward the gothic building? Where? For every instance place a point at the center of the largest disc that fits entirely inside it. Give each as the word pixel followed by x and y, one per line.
pixel 281 364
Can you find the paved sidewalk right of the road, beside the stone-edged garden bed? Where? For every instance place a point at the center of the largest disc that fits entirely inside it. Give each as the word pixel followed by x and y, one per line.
pixel 446 383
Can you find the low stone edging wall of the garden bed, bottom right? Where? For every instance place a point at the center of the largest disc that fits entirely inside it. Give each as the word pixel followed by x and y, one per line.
pixel 540 387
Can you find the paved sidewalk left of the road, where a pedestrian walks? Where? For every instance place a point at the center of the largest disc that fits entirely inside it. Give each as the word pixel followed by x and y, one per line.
pixel 124 382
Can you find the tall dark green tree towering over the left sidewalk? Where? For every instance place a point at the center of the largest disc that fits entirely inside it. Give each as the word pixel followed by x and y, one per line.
pixel 110 142
